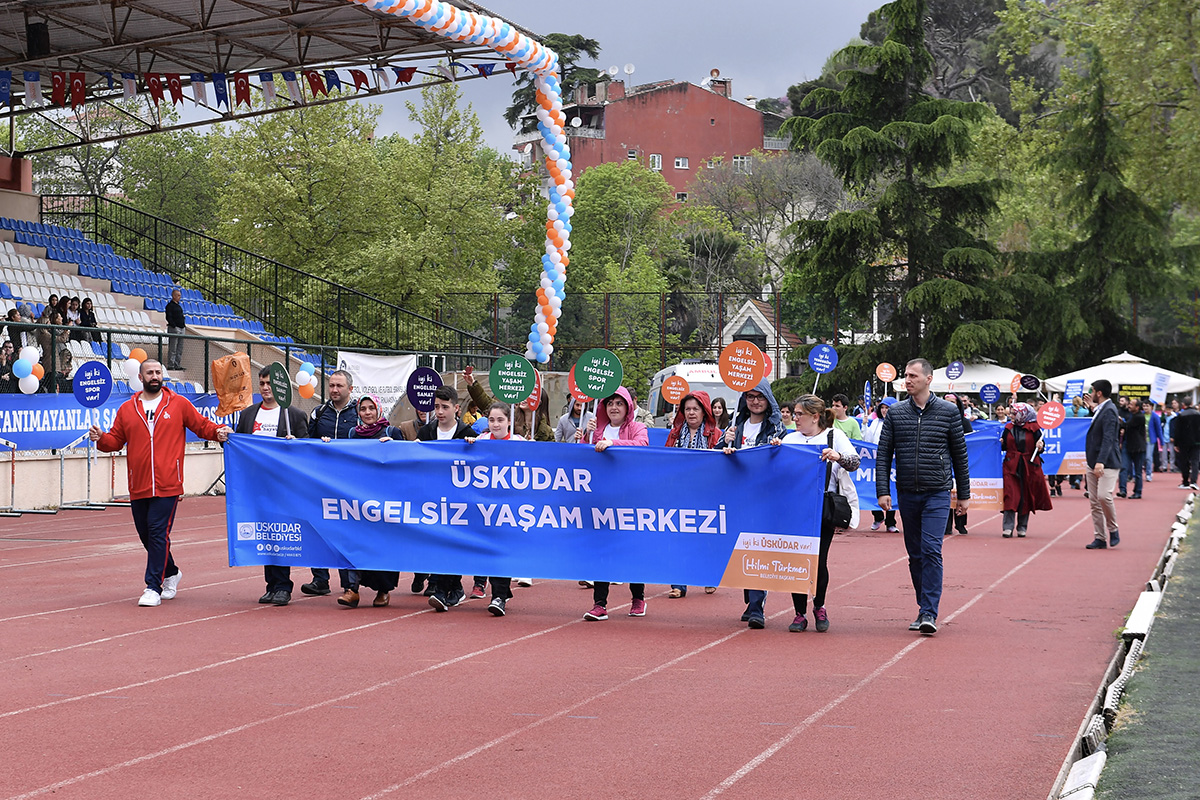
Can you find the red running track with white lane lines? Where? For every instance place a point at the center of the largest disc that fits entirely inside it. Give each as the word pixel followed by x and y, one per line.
pixel 212 695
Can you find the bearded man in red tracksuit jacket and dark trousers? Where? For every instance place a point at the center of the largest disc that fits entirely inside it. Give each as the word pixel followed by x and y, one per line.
pixel 152 425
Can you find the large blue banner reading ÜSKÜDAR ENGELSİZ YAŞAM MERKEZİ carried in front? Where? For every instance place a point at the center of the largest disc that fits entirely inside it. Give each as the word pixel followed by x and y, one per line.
pixel 545 510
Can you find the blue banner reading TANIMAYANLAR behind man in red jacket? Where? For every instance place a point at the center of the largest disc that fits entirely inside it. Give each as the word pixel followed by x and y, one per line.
pixel 53 422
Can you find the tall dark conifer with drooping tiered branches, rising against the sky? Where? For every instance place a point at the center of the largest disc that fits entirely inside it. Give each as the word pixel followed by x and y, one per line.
pixel 892 143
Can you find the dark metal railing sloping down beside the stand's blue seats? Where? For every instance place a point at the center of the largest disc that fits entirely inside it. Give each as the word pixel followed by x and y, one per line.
pixel 289 302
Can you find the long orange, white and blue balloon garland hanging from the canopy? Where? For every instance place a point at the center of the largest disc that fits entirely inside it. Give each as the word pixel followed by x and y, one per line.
pixel 460 26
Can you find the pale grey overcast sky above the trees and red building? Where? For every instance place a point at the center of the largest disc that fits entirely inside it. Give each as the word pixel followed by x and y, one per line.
pixel 764 47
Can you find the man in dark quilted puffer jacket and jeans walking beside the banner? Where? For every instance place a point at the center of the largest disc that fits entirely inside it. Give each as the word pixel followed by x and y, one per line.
pixel 925 435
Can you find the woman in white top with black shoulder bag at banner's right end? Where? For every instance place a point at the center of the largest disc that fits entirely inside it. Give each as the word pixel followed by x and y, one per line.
pixel 814 426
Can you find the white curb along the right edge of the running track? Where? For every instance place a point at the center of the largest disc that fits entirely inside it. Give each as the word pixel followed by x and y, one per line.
pixel 1084 765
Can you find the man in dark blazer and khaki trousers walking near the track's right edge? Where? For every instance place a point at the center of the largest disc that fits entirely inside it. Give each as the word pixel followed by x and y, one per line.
pixel 1103 452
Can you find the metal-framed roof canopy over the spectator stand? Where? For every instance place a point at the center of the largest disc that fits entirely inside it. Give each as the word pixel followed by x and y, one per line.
pixel 227 37
